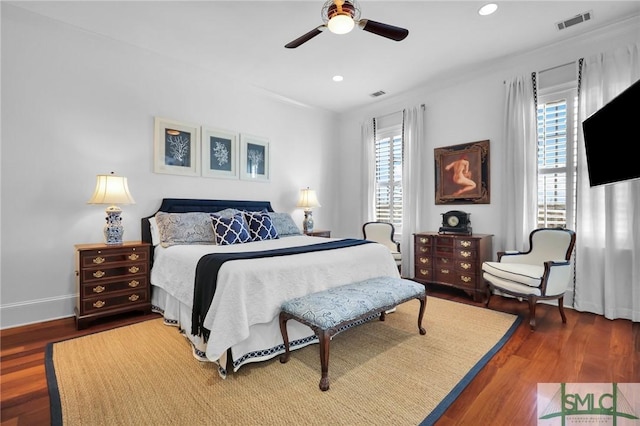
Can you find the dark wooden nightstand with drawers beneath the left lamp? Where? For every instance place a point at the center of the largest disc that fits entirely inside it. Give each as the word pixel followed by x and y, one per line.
pixel 111 279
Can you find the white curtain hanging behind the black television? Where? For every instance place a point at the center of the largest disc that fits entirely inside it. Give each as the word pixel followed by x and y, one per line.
pixel 608 217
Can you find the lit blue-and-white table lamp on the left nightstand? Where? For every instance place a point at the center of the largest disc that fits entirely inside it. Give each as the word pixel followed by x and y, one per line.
pixel 112 190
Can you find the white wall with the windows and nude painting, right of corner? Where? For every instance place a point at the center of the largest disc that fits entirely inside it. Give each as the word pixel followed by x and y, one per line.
pixel 464 107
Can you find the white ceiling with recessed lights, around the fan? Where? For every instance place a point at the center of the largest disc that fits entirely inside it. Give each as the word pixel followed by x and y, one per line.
pixel 244 40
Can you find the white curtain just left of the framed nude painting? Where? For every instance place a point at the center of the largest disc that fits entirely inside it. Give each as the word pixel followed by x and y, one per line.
pixel 415 178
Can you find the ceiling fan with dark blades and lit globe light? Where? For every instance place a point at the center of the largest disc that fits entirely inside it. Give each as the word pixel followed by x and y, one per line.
pixel 340 16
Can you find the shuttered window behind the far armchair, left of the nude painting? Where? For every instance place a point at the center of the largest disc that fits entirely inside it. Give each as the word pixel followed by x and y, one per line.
pixel 388 189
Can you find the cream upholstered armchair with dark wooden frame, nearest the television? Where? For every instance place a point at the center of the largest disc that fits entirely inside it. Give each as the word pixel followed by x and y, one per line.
pixel 542 273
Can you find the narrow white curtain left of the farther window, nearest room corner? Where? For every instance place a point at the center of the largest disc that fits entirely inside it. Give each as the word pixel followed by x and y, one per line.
pixel 368 178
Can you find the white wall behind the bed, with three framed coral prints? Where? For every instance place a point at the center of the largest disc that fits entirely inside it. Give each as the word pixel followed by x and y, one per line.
pixel 76 105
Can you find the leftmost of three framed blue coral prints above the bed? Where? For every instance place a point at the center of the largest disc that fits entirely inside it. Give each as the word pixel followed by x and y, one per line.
pixel 176 147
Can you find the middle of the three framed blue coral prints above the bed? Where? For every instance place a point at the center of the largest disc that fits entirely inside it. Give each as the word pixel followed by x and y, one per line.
pixel 219 153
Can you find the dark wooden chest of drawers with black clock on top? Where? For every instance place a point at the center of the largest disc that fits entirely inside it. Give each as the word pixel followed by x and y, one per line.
pixel 452 260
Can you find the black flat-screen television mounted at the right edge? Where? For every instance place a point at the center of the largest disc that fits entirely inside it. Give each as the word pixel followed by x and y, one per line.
pixel 611 139
